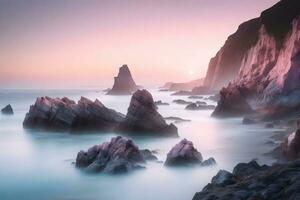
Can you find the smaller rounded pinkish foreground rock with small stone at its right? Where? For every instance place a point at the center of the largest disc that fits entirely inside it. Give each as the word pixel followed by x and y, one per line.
pixel 184 153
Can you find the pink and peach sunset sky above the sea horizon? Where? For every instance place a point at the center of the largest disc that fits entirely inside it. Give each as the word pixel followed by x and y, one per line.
pixel 82 43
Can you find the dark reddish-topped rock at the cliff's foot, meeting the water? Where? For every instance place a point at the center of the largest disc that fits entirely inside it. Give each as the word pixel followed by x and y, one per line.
pixel 232 103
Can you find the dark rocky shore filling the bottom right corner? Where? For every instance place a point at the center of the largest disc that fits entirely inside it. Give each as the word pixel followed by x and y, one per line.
pixel 252 181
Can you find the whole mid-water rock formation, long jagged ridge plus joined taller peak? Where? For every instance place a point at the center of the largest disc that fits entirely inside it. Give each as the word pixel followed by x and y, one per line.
pixel 64 114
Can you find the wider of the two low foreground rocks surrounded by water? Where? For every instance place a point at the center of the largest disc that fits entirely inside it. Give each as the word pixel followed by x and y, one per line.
pixel 117 156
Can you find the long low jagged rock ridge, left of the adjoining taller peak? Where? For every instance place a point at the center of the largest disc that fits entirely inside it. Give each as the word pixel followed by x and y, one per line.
pixel 65 114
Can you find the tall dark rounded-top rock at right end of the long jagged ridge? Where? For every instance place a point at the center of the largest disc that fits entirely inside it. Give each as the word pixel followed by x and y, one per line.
pixel 142 117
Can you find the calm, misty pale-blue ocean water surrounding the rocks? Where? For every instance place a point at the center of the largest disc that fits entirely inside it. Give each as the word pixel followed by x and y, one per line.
pixel 38 165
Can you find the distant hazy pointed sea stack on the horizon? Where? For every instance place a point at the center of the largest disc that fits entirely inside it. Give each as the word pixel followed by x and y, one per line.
pixel 123 83
